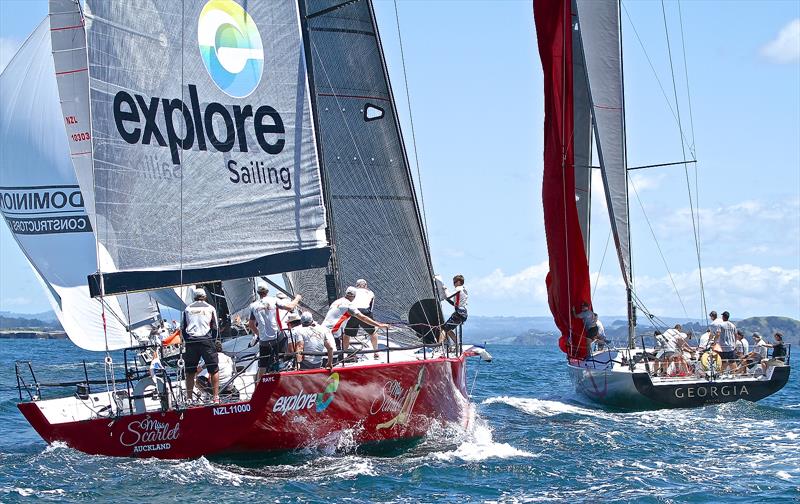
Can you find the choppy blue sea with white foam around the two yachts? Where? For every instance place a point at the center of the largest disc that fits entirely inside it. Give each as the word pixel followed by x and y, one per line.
pixel 532 439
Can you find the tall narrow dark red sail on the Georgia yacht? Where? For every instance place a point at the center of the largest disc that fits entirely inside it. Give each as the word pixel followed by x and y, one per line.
pixel 568 279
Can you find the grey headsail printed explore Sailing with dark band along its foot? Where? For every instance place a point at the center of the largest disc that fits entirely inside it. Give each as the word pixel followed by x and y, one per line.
pixel 205 166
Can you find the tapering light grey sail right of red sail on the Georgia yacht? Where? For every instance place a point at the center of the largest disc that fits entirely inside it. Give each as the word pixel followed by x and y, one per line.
pixel 598 21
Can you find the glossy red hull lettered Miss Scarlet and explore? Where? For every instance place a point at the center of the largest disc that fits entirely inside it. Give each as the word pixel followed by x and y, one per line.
pixel 287 411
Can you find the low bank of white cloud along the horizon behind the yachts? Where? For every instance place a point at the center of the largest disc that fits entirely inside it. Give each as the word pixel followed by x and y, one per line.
pixel 744 290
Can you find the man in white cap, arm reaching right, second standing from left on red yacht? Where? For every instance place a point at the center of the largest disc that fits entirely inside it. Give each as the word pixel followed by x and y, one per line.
pixel 265 322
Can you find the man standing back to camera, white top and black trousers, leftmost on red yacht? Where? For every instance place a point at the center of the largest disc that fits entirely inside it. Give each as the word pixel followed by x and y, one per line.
pixel 199 325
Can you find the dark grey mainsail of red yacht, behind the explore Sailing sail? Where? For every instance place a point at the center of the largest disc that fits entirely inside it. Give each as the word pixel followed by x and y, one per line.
pixel 376 225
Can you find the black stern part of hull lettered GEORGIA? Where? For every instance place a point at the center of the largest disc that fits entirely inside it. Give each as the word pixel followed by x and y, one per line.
pixel 689 395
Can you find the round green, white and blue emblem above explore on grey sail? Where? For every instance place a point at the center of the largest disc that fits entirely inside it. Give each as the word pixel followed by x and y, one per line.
pixel 231 47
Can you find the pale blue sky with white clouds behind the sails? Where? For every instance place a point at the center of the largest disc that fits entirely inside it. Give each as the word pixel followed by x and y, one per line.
pixel 475 83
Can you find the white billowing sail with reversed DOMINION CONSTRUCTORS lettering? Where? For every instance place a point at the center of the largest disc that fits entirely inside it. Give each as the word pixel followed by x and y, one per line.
pixel 43 204
